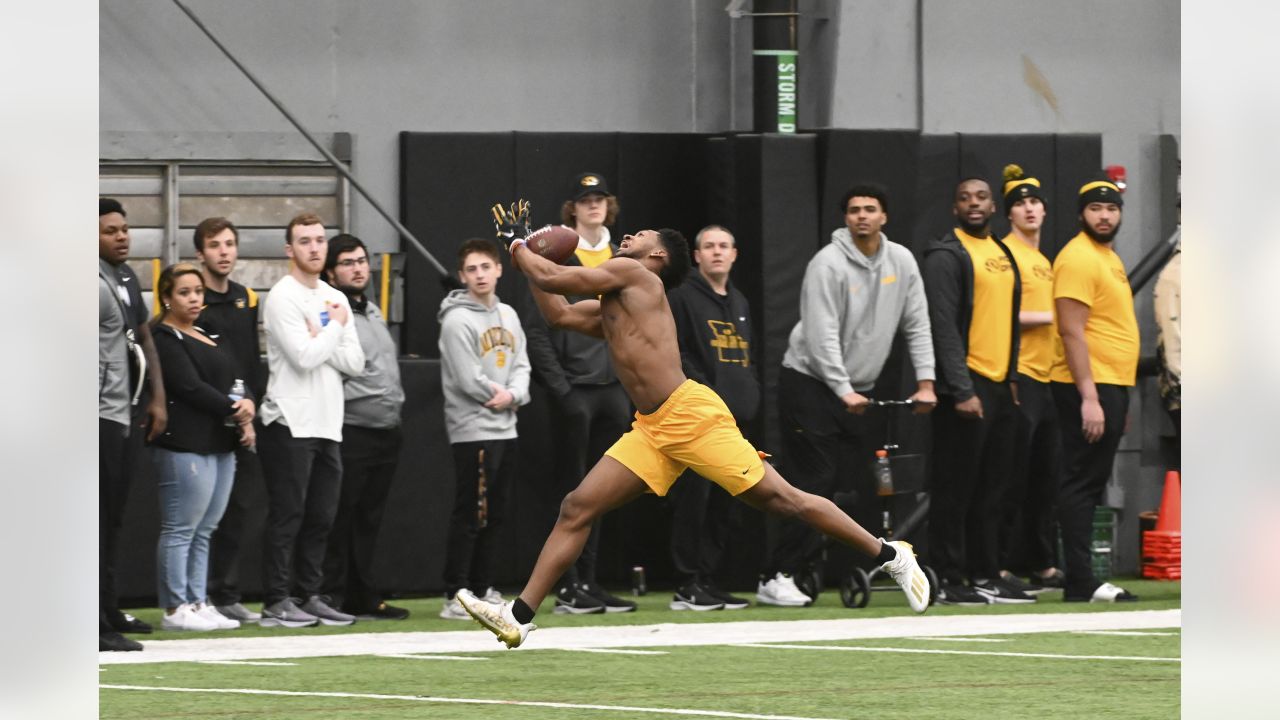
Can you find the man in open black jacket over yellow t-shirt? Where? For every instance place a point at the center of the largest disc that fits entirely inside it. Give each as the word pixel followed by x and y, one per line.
pixel 973 288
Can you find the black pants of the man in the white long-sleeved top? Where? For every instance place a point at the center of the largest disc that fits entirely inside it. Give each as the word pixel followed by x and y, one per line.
pixel 304 480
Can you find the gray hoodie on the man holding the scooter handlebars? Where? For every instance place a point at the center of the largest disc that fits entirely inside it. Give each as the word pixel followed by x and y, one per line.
pixel 851 308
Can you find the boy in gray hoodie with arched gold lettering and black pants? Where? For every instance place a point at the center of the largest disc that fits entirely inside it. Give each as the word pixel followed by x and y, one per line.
pixel 484 372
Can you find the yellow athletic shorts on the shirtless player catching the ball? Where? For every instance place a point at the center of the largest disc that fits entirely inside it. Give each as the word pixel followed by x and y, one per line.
pixel 692 430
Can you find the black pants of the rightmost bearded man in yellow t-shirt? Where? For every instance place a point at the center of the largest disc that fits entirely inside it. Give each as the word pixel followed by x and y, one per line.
pixel 1085 476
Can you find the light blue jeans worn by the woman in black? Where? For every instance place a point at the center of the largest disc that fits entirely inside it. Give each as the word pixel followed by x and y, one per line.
pixel 194 490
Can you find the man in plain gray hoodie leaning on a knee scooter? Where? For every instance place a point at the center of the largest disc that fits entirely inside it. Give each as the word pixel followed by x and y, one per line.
pixel 858 293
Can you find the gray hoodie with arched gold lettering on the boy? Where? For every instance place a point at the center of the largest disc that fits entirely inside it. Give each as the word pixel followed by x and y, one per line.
pixel 481 347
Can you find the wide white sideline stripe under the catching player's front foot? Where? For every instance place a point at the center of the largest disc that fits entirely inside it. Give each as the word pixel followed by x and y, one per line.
pixel 660 636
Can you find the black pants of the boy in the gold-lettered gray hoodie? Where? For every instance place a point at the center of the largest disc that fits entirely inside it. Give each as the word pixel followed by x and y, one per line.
pixel 484 472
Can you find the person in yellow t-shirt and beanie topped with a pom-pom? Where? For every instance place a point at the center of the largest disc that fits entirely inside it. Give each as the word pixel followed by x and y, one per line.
pixel 1028 535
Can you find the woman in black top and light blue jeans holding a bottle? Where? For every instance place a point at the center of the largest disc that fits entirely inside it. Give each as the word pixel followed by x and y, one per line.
pixel 195 458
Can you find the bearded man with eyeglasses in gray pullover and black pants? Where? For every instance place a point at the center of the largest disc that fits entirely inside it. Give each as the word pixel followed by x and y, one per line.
pixel 371 443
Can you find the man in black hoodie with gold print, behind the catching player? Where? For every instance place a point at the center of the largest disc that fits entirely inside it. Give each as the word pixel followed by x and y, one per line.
pixel 714 327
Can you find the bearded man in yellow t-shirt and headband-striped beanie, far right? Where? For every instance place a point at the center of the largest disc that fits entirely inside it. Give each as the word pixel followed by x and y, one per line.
pixel 1100 340
